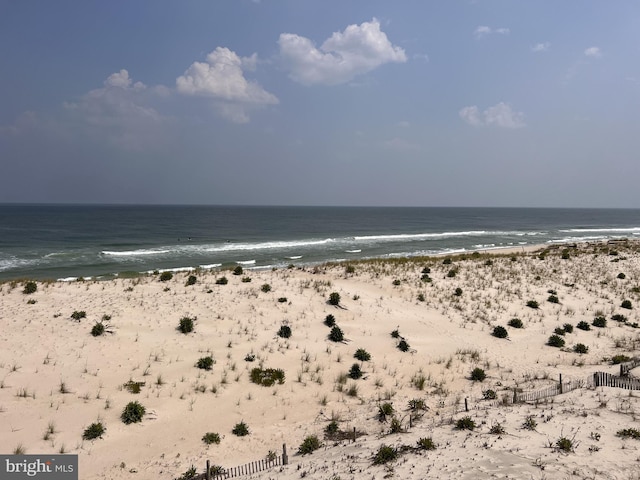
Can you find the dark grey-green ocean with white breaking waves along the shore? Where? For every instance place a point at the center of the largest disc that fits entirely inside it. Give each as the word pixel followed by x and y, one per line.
pixel 66 242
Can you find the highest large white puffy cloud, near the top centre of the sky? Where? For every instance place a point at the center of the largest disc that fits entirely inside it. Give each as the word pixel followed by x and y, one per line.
pixel 343 56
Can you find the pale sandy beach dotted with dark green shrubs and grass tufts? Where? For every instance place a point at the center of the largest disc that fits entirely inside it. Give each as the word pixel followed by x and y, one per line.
pixel 57 378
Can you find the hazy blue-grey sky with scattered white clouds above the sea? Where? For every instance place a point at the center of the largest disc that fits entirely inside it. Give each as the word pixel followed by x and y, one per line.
pixel 505 103
